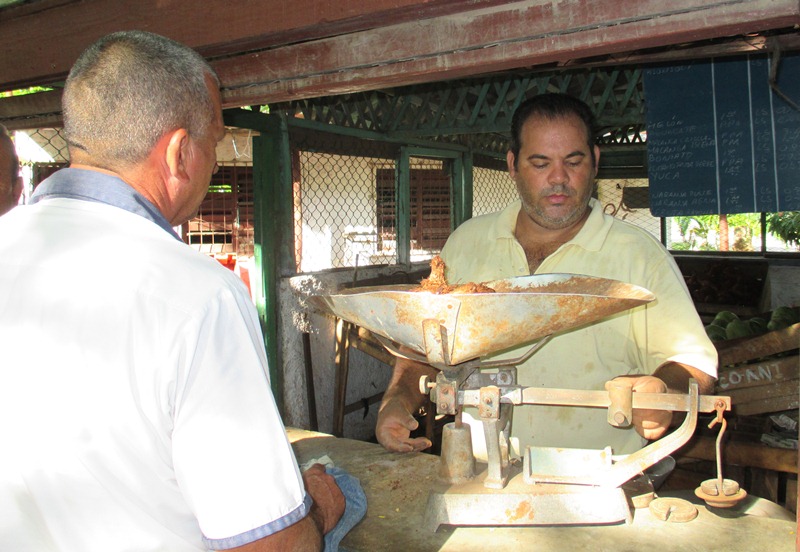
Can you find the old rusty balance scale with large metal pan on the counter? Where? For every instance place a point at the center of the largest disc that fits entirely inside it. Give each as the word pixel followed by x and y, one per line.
pixel 553 486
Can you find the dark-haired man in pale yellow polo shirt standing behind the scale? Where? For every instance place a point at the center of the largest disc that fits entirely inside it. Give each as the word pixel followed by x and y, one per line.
pixel 556 227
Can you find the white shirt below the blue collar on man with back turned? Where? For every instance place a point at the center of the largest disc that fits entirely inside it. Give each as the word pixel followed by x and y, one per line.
pixel 135 405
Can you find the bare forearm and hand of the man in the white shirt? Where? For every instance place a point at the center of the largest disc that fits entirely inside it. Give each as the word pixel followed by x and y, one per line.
pixel 306 534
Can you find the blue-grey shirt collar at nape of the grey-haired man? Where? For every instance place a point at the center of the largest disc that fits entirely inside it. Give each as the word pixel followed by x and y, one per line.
pixel 89 185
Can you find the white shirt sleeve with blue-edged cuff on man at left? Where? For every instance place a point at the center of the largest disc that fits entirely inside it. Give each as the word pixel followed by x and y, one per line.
pixel 232 458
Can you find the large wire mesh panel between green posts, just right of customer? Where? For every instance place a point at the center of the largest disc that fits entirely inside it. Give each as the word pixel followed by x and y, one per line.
pixel 343 201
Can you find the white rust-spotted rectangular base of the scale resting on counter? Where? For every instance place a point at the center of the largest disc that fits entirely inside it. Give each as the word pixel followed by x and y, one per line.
pixel 520 503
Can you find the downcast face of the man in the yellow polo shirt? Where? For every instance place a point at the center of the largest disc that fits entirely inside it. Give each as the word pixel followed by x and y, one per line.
pixel 554 172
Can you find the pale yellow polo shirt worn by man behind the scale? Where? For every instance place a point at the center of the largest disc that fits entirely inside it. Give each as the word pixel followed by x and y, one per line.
pixel 636 341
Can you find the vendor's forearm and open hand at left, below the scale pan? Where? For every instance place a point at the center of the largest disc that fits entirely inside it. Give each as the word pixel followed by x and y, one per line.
pixel 401 399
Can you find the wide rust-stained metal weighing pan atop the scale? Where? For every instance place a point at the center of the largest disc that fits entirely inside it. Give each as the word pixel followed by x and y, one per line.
pixel 473 325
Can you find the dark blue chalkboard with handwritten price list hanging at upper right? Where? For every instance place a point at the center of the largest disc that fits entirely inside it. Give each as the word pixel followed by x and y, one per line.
pixel 720 140
